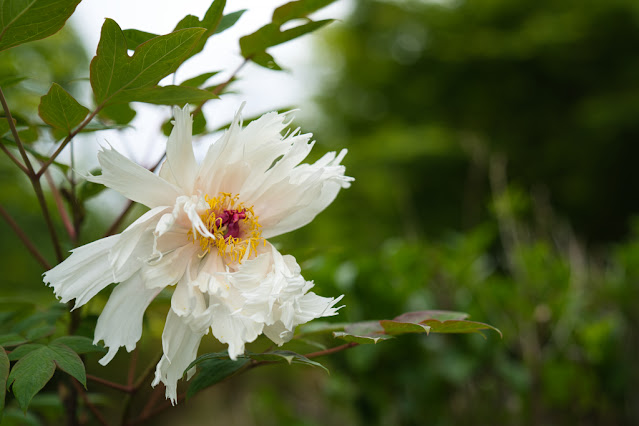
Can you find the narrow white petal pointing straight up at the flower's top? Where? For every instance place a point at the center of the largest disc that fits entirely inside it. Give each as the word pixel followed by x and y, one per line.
pixel 180 167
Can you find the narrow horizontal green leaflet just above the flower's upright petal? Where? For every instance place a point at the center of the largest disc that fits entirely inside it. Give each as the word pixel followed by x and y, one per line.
pixel 166 95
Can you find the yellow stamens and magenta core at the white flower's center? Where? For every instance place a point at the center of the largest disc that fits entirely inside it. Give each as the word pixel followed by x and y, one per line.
pixel 234 226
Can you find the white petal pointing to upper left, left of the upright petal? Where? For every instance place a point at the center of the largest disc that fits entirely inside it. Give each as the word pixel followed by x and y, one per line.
pixel 134 181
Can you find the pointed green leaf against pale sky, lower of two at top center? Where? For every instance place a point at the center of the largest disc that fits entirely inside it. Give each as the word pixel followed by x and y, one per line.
pixel 270 35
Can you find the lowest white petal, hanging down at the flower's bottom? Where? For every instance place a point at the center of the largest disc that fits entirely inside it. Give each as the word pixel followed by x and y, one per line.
pixel 180 344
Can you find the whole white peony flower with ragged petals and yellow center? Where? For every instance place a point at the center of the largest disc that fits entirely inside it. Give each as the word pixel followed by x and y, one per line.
pixel 206 233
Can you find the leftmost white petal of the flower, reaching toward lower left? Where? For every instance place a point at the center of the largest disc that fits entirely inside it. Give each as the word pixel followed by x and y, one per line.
pixel 87 271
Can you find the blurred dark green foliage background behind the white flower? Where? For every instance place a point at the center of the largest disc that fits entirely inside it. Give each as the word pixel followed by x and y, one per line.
pixel 493 143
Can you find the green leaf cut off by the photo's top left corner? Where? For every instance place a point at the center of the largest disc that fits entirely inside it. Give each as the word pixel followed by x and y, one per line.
pixel 22 21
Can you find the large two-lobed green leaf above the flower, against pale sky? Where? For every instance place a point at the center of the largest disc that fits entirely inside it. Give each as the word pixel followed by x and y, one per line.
pixel 113 71
